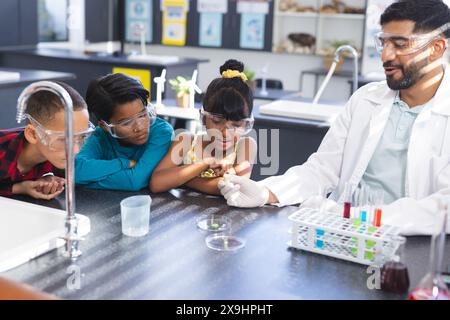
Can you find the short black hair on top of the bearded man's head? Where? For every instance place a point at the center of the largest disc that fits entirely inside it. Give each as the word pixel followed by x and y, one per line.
pixel 428 15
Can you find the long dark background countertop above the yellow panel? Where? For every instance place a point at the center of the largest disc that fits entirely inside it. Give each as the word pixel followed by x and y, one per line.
pixel 96 57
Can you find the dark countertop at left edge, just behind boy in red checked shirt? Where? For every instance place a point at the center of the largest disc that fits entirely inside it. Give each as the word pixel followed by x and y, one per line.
pixel 29 76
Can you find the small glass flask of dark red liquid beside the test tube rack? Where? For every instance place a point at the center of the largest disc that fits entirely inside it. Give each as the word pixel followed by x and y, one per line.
pixel 394 273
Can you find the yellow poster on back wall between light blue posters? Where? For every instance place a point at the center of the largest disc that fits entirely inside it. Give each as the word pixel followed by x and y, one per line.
pixel 174 22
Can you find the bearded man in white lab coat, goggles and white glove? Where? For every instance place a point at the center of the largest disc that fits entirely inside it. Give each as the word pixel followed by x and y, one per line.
pixel 392 135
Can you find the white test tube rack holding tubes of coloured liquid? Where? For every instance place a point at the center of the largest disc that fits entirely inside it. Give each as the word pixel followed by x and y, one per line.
pixel 348 239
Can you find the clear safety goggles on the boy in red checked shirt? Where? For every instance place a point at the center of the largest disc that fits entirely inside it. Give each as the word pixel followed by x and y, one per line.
pixel 56 140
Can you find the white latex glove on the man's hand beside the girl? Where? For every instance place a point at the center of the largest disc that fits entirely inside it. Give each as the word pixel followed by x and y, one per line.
pixel 243 192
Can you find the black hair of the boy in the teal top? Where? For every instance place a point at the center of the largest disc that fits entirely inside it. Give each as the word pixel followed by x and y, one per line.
pixel 106 93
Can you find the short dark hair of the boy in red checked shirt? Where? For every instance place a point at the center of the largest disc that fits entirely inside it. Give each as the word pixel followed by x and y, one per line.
pixel 43 105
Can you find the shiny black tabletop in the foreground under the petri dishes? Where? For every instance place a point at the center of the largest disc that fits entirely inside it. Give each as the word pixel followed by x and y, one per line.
pixel 173 262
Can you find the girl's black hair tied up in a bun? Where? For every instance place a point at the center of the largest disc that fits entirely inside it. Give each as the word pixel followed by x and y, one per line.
pixel 230 97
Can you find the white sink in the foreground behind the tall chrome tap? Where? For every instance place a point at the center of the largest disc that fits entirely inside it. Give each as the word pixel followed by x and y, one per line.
pixel 28 230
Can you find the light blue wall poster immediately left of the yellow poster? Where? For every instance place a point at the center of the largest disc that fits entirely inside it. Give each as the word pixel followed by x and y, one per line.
pixel 139 20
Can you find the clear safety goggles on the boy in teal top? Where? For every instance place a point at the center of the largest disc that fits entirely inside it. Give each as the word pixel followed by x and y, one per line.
pixel 126 128
